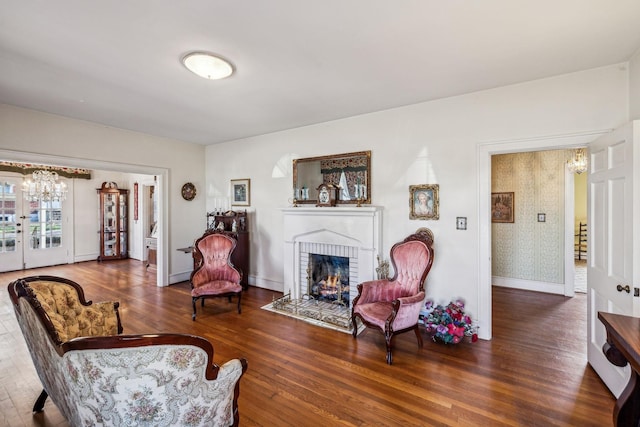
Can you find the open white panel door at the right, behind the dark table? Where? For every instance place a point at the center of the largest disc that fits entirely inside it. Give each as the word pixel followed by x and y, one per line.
pixel 613 192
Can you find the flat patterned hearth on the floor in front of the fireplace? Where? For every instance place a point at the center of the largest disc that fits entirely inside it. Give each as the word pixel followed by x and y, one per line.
pixel 319 313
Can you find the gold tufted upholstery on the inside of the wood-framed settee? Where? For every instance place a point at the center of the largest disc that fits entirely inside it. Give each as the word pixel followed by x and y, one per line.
pixel 70 318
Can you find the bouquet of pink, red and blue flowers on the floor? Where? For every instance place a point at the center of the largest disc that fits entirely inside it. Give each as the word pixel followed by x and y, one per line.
pixel 449 323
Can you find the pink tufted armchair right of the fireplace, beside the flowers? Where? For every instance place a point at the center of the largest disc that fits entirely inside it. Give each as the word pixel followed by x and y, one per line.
pixel 393 305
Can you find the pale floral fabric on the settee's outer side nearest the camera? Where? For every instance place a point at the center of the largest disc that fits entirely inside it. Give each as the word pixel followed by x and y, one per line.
pixel 160 385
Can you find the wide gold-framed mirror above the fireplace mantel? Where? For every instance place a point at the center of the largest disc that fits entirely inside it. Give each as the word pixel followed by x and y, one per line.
pixel 350 171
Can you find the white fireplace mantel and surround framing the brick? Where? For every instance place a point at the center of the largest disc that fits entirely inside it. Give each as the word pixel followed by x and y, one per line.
pixel 355 227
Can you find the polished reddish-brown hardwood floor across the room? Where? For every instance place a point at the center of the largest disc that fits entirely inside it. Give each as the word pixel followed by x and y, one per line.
pixel 533 373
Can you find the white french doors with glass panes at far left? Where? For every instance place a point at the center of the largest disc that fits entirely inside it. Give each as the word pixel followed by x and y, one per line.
pixel 32 234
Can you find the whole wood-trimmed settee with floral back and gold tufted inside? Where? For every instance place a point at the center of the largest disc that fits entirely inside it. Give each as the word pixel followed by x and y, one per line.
pixel 97 377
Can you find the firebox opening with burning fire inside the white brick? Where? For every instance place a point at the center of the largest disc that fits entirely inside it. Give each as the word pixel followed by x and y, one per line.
pixel 328 278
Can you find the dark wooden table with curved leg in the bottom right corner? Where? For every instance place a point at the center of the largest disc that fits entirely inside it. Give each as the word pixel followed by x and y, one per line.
pixel 622 347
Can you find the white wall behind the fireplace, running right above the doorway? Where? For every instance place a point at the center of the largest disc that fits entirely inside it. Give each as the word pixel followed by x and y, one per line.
pixel 429 143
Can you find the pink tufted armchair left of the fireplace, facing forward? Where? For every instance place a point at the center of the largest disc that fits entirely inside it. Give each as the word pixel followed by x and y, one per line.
pixel 214 275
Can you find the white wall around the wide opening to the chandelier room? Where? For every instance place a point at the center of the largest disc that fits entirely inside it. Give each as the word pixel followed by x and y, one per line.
pixel 26 134
